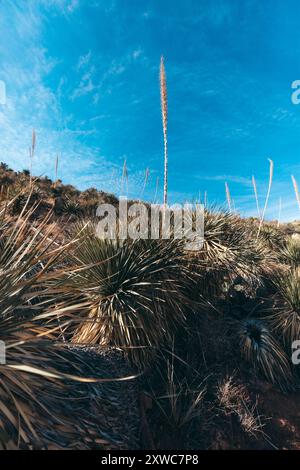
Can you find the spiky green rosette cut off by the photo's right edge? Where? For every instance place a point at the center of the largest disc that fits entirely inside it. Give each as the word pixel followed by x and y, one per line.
pixel 287 309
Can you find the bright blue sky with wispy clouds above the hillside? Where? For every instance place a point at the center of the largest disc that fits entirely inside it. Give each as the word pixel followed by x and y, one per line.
pixel 84 74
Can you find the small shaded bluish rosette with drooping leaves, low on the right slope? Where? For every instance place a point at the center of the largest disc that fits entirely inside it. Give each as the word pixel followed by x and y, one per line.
pixel 263 352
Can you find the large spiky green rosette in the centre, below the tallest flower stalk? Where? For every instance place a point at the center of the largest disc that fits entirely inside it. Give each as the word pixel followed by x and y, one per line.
pixel 130 293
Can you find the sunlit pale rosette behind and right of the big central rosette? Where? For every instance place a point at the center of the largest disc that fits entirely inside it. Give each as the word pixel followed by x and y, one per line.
pixel 229 250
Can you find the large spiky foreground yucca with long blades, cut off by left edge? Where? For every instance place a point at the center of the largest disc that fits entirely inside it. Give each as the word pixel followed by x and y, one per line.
pixel 43 385
